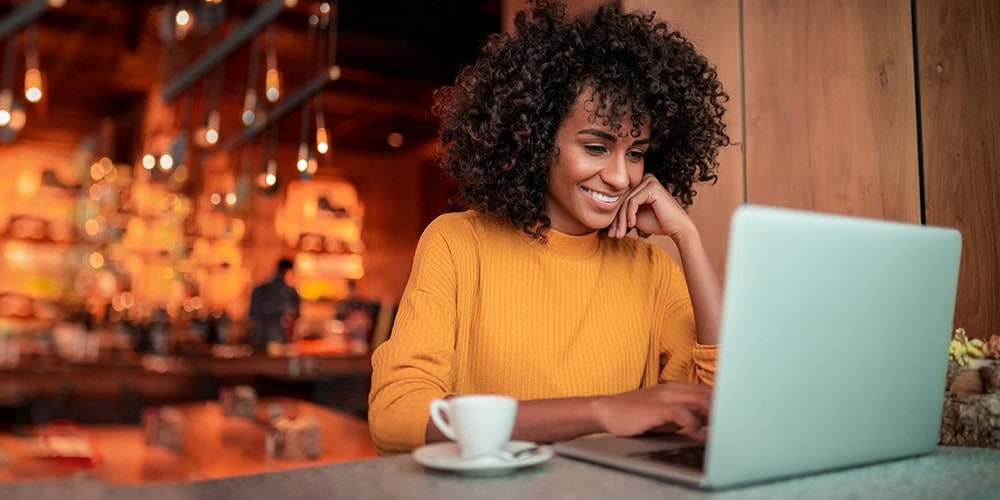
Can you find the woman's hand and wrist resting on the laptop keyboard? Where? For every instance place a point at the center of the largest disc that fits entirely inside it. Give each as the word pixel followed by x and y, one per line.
pixel 665 407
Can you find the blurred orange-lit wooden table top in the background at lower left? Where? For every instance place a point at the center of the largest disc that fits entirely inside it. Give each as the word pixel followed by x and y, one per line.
pixel 214 446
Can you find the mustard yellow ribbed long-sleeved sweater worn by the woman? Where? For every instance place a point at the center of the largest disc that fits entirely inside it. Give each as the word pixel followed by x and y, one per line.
pixel 488 309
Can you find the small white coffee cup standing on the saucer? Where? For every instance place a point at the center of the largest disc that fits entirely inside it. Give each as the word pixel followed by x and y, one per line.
pixel 481 424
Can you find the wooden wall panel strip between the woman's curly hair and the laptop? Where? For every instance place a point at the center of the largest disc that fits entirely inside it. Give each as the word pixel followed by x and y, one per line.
pixel 714 28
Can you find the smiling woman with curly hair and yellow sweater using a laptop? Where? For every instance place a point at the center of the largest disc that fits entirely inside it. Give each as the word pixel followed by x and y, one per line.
pixel 562 138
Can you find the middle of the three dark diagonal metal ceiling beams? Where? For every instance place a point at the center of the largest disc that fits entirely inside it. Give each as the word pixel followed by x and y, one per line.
pixel 264 15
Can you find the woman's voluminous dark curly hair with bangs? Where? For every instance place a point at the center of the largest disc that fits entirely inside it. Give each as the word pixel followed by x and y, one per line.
pixel 498 122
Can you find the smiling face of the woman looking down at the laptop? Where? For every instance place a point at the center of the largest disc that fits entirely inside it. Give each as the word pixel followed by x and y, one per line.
pixel 593 170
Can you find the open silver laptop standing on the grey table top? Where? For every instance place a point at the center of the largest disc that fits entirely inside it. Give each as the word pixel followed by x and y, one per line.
pixel 833 351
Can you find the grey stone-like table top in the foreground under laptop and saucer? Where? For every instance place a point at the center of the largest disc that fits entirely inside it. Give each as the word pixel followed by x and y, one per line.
pixel 949 472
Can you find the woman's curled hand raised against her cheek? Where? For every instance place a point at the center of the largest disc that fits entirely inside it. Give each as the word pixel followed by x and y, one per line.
pixel 650 209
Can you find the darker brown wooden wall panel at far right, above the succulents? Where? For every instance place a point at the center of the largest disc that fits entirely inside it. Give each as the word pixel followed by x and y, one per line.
pixel 958 49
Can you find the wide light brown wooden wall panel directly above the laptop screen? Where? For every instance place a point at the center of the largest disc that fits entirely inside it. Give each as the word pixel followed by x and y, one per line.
pixel 830 106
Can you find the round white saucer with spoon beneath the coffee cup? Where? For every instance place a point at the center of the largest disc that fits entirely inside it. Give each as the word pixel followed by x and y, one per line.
pixel 445 456
